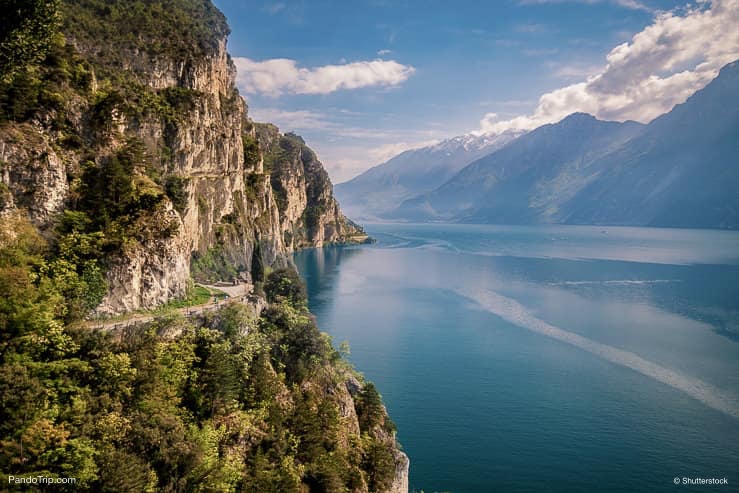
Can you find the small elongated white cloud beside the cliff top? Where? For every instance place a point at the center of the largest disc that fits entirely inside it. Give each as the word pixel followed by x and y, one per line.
pixel 283 76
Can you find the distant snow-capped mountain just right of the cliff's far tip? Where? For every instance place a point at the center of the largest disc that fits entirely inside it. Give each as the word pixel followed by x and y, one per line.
pixel 383 187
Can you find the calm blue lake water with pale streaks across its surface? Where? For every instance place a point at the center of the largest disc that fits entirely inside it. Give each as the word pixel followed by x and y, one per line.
pixel 562 358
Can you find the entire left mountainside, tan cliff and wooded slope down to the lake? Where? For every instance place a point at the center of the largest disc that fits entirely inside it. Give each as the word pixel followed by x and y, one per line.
pixel 129 170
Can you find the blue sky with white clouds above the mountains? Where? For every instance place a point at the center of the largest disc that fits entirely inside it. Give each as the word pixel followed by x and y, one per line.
pixel 364 80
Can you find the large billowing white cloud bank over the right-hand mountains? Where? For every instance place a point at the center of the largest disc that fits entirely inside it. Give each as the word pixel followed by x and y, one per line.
pixel 661 66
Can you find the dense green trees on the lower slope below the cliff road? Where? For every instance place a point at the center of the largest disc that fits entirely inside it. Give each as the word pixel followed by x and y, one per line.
pixel 230 403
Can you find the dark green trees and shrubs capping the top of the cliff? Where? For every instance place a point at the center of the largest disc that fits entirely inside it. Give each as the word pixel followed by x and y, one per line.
pixel 44 73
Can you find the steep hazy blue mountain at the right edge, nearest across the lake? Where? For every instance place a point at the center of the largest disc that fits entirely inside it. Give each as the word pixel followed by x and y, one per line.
pixel 682 171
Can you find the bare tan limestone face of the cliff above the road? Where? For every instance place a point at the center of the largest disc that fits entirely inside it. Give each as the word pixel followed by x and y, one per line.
pixel 231 209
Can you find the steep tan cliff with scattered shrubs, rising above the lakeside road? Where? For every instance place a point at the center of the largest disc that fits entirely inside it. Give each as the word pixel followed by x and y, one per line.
pixel 152 121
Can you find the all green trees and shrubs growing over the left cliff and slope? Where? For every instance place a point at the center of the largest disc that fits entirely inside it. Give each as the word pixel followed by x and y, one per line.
pixel 230 401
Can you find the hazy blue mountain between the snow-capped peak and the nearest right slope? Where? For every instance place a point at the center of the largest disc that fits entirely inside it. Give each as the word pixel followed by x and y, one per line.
pixel 526 180
